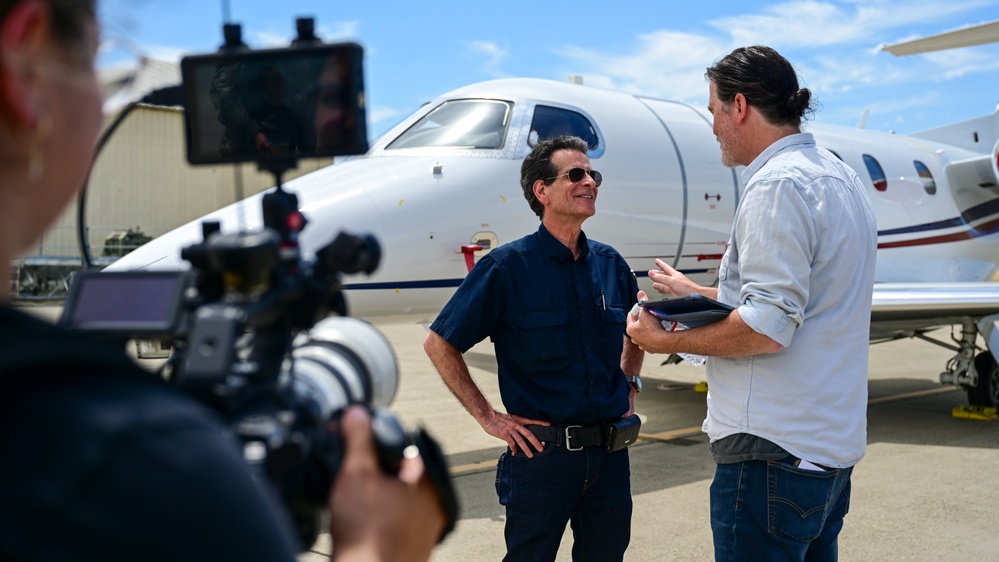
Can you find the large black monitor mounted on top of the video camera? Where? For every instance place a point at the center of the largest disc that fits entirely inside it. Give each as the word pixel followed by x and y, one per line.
pixel 274 104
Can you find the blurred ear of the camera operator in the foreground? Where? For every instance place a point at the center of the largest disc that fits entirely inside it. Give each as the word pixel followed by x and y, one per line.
pixel 23 36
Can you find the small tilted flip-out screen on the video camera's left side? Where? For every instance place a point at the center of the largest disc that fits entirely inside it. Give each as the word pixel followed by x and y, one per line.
pixel 133 302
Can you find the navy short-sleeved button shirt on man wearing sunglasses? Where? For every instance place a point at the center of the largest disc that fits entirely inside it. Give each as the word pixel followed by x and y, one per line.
pixel 557 325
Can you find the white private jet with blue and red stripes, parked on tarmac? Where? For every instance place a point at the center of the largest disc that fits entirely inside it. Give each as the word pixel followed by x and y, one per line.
pixel 441 189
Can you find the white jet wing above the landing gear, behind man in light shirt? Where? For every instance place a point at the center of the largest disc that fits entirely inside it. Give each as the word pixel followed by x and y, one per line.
pixel 914 306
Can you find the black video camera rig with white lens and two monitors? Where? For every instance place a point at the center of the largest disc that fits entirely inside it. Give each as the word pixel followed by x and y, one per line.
pixel 257 332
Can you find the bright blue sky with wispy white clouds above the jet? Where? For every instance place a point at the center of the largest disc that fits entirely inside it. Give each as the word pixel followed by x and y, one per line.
pixel 416 51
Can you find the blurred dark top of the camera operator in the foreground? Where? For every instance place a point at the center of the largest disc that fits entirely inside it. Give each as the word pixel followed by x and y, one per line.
pixel 100 460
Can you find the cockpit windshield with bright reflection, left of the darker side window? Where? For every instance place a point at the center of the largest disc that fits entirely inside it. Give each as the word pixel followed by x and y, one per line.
pixel 459 124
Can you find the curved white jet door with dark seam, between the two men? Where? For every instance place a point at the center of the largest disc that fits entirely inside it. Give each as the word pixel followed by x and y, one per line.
pixel 711 191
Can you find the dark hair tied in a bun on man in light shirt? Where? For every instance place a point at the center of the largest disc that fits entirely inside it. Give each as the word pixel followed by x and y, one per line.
pixel 766 79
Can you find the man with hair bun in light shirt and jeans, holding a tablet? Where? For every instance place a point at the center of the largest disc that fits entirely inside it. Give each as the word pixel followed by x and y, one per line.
pixel 787 406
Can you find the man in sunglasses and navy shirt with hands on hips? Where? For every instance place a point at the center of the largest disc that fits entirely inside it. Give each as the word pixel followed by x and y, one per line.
pixel 554 305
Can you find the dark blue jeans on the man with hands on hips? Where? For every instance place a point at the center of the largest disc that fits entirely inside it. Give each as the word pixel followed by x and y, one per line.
pixel 590 489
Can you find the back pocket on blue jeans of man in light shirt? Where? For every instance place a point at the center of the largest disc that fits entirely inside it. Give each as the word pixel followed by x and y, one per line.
pixel 797 501
